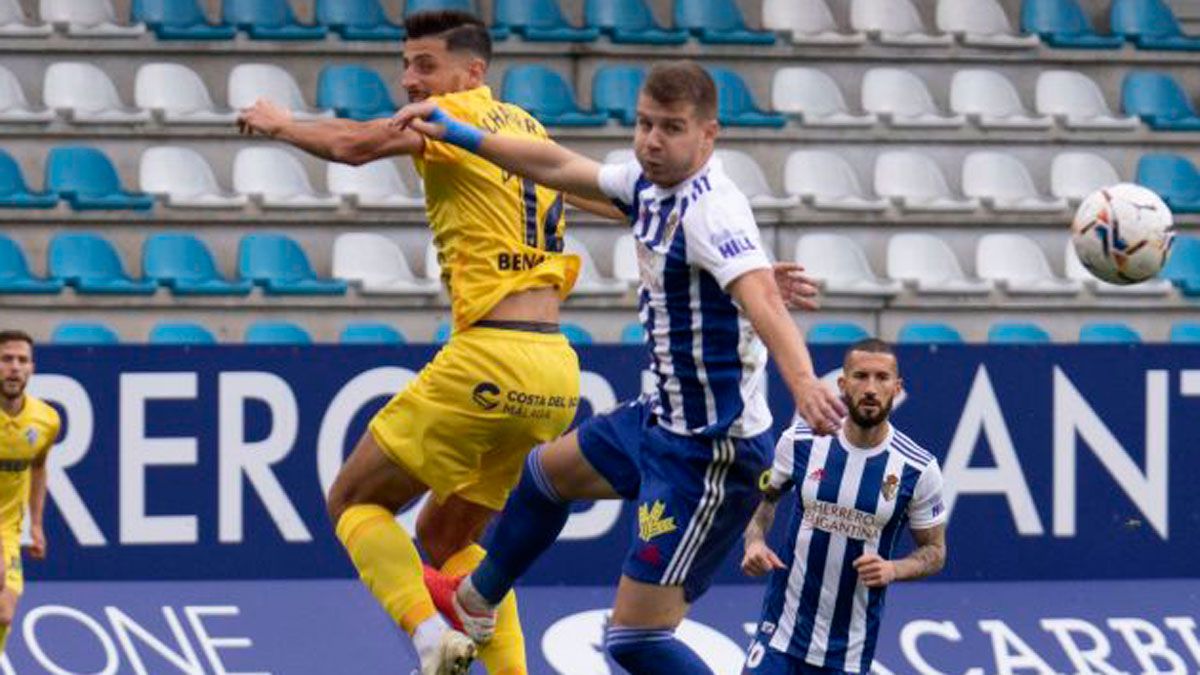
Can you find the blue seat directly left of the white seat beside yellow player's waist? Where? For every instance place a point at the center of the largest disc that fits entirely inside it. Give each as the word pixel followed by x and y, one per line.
pixel 281 267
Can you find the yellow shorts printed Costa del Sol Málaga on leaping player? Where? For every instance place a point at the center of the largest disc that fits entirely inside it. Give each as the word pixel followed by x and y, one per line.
pixel 466 423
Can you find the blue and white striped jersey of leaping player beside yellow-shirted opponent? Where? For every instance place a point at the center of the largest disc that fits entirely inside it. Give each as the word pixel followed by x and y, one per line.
pixel 694 240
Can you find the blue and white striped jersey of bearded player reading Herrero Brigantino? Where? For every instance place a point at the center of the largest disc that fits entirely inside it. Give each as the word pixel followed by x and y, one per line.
pixel 850 501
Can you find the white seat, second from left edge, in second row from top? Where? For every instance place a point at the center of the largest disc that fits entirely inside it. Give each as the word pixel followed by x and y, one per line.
pixel 87 95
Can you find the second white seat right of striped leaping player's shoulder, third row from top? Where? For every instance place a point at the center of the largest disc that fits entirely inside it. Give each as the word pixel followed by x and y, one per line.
pixel 827 182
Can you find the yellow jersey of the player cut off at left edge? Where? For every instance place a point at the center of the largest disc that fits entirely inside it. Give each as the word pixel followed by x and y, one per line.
pixel 22 440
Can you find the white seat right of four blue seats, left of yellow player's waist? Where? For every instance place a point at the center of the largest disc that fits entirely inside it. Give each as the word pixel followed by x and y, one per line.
pixel 377 266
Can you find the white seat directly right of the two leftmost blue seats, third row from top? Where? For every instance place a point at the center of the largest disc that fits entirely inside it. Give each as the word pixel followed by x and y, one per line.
pixel 184 180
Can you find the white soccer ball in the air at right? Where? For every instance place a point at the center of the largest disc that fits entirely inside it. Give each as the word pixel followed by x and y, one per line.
pixel 1123 234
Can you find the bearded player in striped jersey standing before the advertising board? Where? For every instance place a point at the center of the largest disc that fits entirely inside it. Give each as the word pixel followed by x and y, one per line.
pixel 856 492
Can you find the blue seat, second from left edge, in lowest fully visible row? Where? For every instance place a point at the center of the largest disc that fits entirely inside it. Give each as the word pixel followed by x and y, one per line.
pixel 91 265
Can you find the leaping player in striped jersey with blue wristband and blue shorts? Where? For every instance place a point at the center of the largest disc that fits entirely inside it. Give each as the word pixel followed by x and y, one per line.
pixel 707 296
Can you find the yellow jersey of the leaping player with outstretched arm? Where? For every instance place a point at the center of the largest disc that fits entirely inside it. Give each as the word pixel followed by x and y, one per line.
pixel 496 234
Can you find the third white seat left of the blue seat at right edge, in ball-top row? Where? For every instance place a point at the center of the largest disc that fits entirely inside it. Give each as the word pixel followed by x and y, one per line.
pixel 917 184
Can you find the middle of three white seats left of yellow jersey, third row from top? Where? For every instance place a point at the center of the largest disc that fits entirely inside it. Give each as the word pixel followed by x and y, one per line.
pixel 279 178
